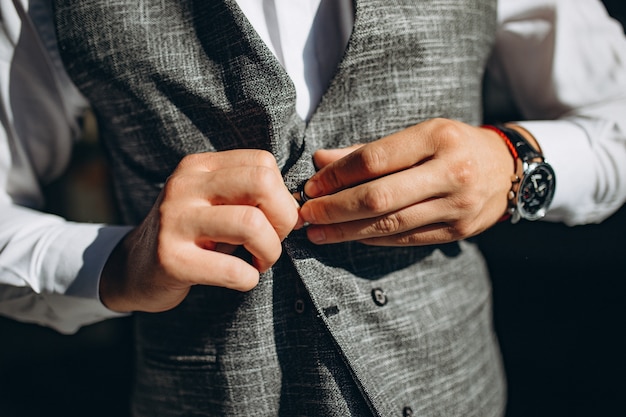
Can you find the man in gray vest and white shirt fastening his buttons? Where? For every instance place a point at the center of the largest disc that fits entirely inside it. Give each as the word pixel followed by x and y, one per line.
pixel 394 318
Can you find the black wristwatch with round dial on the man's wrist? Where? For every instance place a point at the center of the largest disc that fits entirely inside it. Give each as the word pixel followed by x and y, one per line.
pixel 534 181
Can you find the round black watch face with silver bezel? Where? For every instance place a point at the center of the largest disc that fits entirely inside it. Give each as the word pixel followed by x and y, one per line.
pixel 536 191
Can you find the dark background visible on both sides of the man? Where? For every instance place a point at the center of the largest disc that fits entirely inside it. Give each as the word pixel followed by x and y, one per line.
pixel 560 309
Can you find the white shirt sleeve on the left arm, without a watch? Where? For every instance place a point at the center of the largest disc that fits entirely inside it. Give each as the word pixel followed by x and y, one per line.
pixel 49 267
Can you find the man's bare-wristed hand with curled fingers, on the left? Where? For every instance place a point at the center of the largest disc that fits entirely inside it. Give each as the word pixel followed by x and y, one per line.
pixel 212 203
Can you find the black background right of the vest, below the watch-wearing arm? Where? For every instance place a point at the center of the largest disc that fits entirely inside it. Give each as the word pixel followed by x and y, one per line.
pixel 560 311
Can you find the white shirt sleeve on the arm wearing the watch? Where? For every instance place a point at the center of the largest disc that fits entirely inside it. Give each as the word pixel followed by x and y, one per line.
pixel 563 63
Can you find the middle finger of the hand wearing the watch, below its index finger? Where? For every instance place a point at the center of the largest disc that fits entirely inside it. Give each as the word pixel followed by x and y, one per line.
pixel 380 196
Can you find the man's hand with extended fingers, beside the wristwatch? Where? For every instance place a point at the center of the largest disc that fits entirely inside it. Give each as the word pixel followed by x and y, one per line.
pixel 435 182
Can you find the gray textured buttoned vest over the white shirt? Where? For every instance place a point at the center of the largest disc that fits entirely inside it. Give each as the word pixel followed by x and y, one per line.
pixel 331 330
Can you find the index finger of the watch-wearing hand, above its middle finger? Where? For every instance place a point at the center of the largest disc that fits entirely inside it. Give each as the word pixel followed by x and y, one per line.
pixel 385 156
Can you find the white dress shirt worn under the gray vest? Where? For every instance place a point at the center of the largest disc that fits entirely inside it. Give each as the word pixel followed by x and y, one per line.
pixel 562 62
